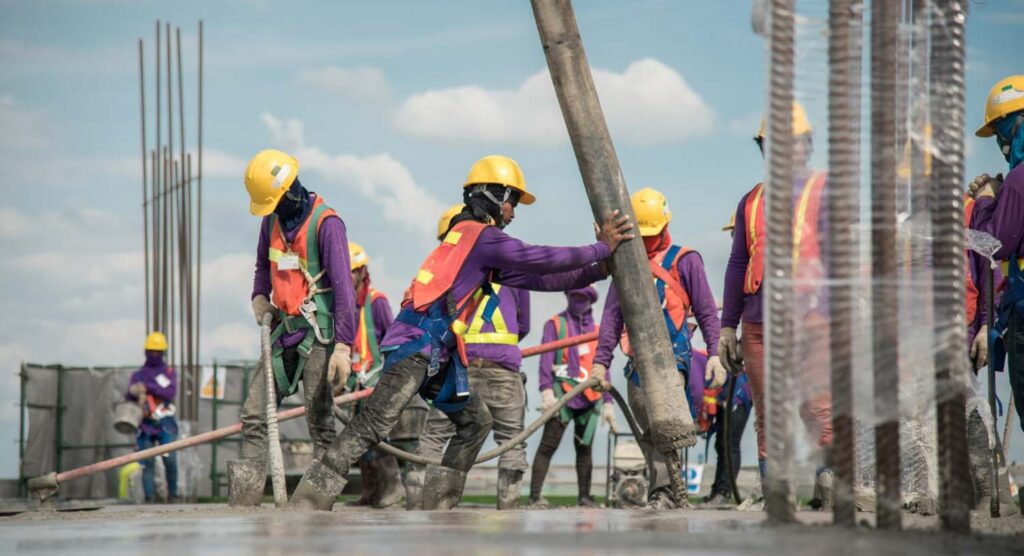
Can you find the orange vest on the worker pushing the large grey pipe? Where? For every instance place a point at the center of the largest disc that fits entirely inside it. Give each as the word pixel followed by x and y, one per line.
pixel 438 274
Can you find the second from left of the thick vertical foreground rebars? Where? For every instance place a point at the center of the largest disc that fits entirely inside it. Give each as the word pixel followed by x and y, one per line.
pixel 843 196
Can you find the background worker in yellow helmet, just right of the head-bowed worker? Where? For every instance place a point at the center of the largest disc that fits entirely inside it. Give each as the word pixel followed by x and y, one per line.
pixel 381 482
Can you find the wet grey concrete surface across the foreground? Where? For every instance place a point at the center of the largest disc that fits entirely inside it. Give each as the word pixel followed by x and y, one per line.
pixel 218 530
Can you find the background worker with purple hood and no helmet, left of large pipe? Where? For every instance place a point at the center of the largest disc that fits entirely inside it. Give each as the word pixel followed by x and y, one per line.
pixel 560 372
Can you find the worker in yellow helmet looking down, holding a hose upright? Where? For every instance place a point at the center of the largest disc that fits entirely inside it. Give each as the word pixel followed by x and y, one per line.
pixel 302 264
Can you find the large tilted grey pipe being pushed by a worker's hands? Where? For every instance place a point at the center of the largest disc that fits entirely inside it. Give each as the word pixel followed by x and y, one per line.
pixel 672 426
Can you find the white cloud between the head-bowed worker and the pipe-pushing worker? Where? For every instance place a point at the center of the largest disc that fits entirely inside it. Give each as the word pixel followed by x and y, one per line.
pixel 379 179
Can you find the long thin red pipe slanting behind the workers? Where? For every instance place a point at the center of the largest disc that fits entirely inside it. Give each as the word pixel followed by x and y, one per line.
pixel 230 431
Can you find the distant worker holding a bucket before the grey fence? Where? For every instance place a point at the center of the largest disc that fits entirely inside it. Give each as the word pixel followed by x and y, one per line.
pixel 154 388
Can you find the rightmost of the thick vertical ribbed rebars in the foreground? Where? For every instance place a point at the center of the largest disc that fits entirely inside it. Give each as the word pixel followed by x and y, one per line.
pixel 948 224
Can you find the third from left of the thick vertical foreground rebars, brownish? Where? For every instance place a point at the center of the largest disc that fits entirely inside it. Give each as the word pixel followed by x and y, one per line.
pixel 885 268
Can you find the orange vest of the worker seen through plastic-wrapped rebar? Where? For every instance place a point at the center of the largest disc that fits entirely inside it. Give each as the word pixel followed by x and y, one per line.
pixel 805 234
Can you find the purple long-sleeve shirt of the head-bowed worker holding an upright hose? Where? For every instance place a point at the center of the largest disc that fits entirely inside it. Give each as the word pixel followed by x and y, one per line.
pixel 333 247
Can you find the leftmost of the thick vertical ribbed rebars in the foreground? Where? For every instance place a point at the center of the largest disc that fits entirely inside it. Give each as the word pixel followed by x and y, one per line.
pixel 779 271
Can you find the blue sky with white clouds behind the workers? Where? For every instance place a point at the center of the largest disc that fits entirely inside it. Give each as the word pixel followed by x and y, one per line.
pixel 387 105
